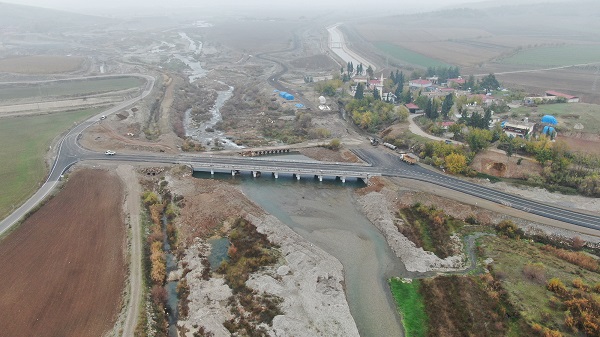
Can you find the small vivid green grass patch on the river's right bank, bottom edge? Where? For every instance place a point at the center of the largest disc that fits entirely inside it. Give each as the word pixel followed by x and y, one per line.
pixel 410 305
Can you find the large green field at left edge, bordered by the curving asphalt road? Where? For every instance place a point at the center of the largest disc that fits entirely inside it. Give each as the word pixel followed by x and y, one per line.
pixel 25 141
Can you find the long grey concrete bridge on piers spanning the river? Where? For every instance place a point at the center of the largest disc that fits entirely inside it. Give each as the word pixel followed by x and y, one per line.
pixel 301 170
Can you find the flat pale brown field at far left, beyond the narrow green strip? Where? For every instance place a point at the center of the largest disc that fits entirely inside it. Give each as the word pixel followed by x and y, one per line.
pixel 40 64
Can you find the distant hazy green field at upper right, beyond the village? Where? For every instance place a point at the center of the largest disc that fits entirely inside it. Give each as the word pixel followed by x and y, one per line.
pixel 555 56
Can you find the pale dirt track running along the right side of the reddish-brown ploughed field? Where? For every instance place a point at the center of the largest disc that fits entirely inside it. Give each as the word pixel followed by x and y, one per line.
pixel 132 209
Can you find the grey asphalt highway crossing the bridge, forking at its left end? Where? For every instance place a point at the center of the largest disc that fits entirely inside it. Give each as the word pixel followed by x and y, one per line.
pixel 380 163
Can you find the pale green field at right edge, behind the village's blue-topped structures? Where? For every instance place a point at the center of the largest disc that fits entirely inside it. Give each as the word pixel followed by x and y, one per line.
pixel 567 114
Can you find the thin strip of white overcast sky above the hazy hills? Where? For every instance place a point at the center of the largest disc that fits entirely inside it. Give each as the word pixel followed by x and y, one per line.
pixel 382 5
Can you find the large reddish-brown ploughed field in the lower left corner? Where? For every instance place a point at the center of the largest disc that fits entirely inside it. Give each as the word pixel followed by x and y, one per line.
pixel 63 269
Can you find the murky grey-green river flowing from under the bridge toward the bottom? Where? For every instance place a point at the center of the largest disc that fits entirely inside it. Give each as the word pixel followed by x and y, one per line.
pixel 326 214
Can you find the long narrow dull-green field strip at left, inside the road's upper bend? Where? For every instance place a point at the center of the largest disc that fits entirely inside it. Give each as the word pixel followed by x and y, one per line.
pixel 69 88
